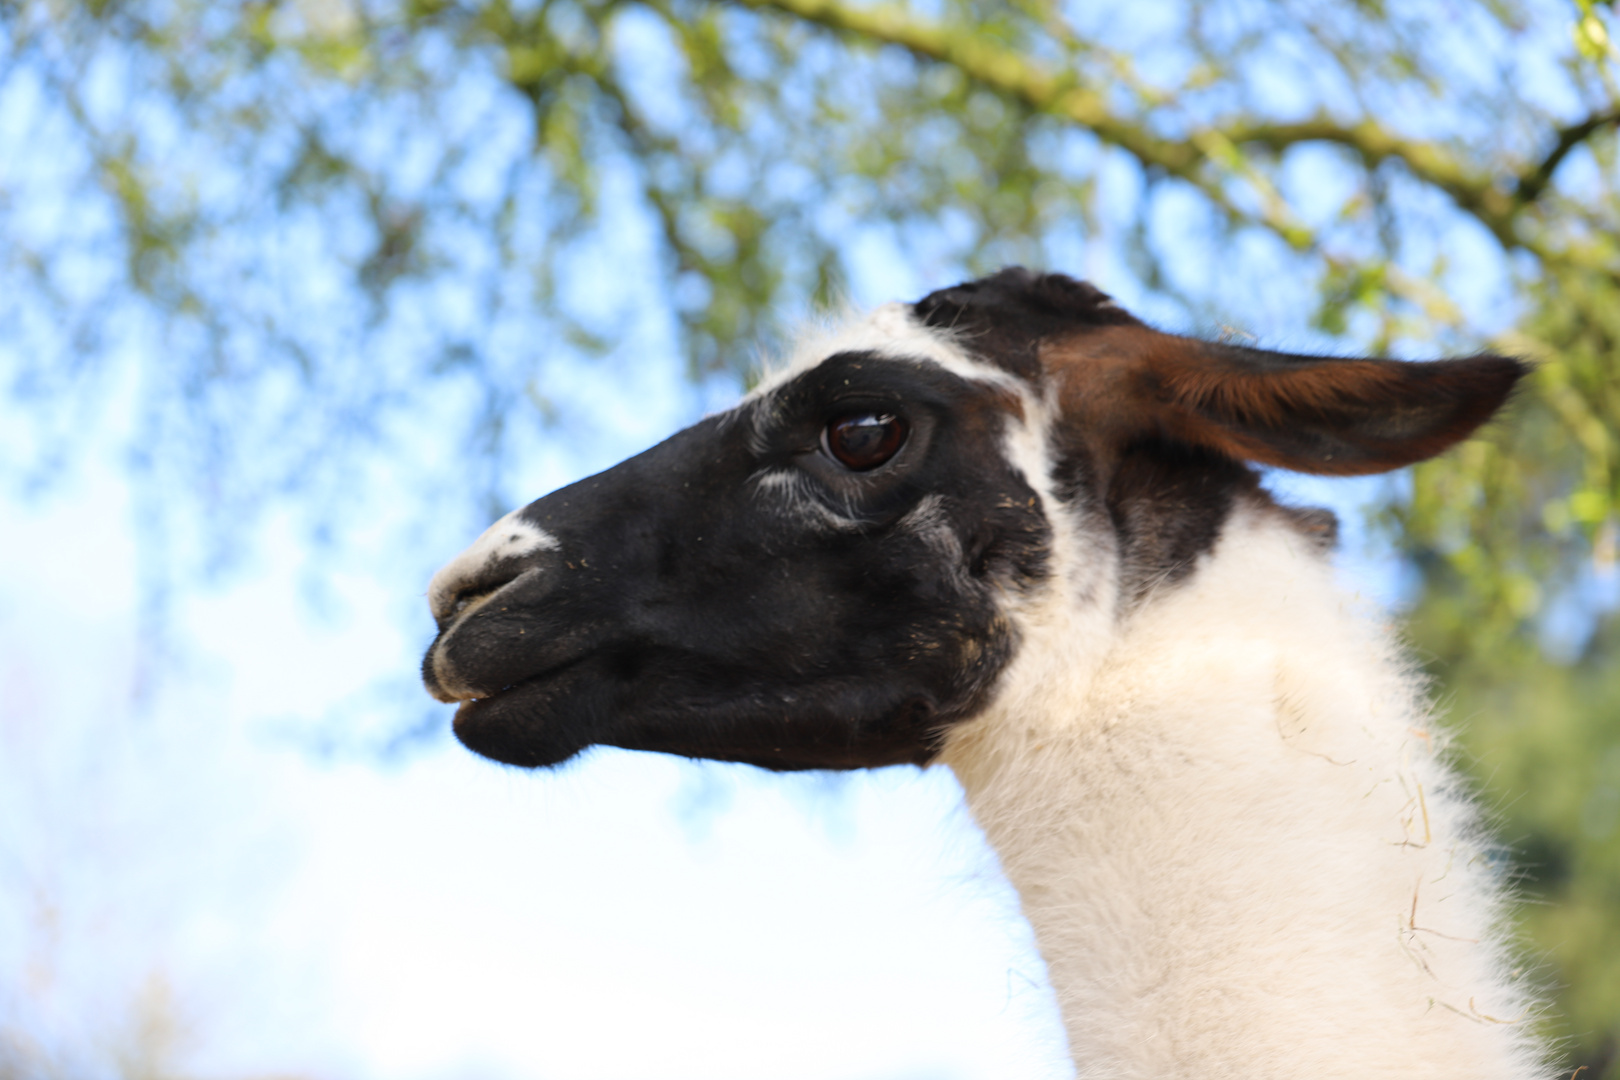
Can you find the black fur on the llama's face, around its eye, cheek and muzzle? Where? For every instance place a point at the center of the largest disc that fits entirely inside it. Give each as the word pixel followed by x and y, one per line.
pixel 736 593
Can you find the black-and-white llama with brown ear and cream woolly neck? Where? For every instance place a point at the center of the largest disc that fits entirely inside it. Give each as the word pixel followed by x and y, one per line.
pixel 1013 530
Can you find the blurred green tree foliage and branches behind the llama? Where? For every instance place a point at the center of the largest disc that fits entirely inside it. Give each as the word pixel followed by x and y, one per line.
pixel 296 234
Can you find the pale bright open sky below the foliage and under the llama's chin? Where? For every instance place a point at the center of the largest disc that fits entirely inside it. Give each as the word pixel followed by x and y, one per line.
pixel 629 916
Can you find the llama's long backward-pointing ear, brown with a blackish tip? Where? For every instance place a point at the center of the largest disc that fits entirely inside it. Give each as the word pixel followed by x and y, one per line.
pixel 1323 415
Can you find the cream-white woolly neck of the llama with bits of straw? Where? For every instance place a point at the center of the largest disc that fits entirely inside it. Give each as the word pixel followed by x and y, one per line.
pixel 1237 844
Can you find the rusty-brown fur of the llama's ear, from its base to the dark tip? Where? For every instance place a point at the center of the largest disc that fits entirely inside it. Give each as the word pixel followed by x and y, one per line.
pixel 1127 385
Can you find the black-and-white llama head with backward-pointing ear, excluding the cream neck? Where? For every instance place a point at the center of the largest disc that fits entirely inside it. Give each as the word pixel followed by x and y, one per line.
pixel 837 571
